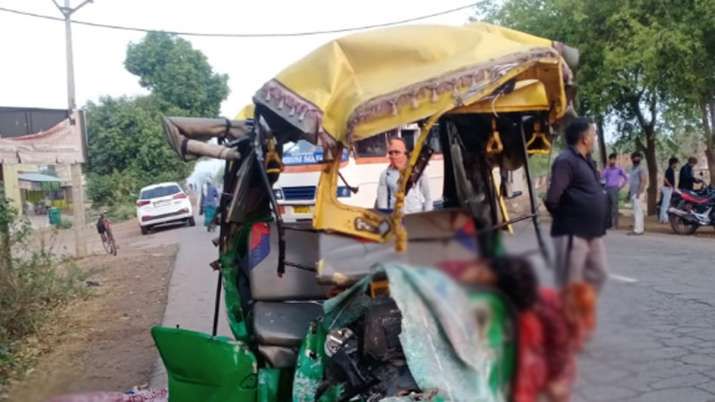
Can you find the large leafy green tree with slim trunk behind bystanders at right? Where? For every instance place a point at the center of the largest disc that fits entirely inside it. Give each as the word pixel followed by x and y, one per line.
pixel 634 57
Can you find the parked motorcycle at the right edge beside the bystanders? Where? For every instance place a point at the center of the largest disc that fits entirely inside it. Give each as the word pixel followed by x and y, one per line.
pixel 690 210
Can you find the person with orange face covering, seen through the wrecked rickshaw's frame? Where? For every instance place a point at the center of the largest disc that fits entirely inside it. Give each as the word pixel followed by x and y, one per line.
pixel 418 199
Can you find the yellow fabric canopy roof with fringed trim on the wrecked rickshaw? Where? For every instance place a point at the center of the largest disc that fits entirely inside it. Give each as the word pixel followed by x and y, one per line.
pixel 367 83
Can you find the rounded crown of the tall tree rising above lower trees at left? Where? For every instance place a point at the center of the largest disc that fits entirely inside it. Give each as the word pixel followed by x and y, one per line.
pixel 177 74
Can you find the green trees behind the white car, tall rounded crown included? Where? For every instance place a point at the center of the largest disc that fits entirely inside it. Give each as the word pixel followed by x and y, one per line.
pixel 127 148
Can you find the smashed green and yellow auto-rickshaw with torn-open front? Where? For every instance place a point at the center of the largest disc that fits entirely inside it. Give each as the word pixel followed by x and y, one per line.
pixel 357 305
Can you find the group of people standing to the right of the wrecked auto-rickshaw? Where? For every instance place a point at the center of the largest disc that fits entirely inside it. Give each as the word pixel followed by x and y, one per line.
pixel 584 202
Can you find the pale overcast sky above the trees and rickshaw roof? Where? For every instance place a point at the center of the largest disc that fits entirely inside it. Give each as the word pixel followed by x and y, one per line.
pixel 32 51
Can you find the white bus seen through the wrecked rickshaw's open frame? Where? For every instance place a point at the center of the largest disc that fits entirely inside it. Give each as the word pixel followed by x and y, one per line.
pixel 361 168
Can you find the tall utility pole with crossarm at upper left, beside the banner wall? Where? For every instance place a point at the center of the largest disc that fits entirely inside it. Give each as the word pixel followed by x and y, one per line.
pixel 76 168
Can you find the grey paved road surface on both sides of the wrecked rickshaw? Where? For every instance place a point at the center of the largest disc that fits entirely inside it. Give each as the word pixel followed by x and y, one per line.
pixel 656 335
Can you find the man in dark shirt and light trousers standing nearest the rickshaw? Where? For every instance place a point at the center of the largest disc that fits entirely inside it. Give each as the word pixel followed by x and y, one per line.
pixel 577 202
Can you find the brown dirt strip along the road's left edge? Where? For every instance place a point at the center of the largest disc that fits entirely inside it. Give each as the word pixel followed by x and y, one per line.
pixel 103 342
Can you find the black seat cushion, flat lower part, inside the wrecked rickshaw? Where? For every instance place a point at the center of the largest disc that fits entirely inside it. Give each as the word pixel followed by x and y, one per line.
pixel 283 324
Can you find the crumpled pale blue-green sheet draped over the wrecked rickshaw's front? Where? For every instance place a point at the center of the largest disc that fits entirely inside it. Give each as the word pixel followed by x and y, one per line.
pixel 446 350
